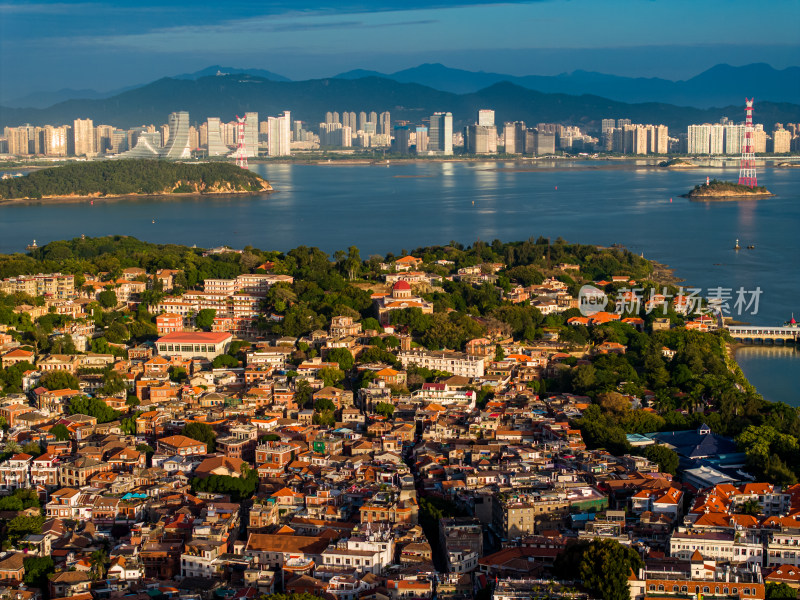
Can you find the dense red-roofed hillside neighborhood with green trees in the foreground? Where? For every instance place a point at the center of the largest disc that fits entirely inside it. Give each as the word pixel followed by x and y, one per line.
pixel 446 423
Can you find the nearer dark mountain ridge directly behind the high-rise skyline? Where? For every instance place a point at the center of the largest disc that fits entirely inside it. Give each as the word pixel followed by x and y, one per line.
pixel 227 96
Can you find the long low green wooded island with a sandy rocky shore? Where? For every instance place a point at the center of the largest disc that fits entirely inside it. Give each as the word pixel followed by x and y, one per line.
pixel 116 178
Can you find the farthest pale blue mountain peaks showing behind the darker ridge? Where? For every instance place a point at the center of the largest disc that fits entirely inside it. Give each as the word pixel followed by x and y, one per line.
pixel 721 85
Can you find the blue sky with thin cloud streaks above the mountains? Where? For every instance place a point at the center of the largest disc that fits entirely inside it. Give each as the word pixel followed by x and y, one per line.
pixel 107 45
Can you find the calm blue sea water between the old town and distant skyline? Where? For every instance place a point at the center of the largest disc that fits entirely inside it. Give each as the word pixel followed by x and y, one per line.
pixel 402 206
